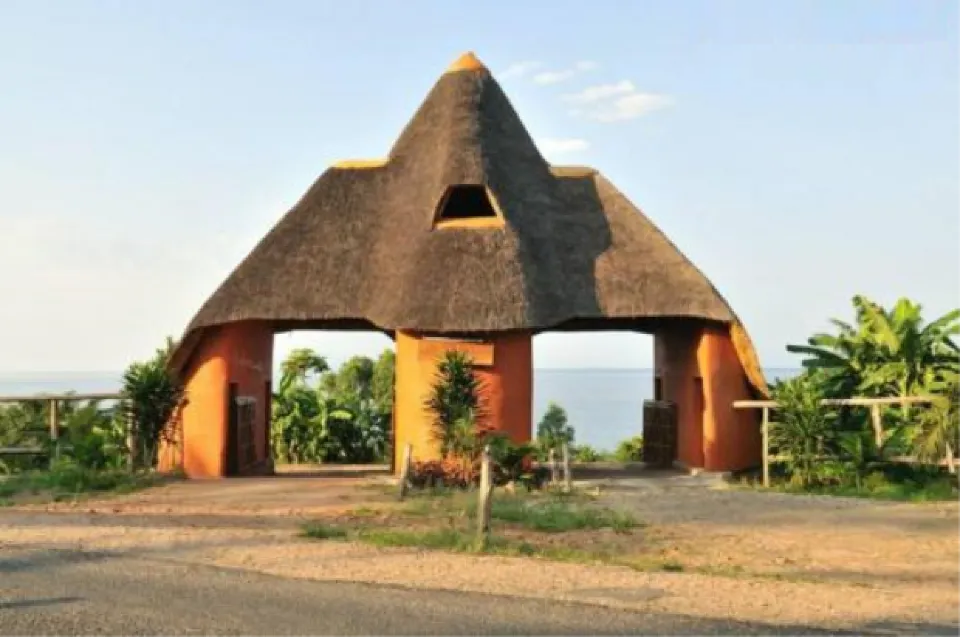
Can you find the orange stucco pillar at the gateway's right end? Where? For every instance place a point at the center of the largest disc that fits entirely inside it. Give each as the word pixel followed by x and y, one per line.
pixel 698 369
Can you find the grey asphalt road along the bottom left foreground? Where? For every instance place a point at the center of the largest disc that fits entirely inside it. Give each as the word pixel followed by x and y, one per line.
pixel 67 593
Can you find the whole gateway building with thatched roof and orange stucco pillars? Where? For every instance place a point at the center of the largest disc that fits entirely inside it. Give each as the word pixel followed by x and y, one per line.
pixel 463 237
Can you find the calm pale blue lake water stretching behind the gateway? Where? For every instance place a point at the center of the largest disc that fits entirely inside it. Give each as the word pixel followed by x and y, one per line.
pixel 603 405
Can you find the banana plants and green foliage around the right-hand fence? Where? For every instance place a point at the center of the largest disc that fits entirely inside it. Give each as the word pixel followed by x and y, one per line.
pixel 883 353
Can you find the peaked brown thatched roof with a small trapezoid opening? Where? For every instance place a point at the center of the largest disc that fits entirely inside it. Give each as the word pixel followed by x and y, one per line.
pixel 364 246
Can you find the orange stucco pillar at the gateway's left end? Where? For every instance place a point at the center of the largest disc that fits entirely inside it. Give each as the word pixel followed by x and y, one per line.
pixel 240 354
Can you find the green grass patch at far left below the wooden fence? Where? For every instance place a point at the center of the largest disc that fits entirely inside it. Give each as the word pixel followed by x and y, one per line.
pixel 69 480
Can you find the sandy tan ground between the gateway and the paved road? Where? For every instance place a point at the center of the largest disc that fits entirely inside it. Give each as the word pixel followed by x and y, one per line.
pixel 826 562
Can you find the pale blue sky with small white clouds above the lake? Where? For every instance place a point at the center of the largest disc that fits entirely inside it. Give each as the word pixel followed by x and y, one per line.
pixel 797 152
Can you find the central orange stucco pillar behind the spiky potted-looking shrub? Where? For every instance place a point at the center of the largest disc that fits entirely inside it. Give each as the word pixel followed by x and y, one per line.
pixel 504 366
